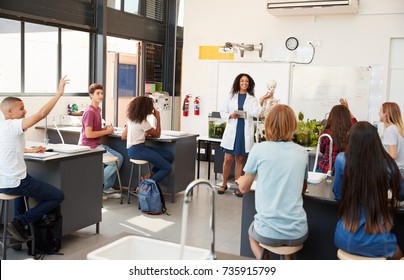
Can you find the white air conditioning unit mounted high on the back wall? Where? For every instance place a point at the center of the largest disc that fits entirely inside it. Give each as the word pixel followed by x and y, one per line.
pixel 311 7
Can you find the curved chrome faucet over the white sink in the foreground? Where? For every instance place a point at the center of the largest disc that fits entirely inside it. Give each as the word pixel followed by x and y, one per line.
pixel 187 200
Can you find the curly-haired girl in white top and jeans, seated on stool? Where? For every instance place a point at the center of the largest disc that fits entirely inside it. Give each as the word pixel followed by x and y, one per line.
pixel 138 127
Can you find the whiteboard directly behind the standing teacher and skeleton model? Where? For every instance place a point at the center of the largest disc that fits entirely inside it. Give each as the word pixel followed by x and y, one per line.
pixel 261 72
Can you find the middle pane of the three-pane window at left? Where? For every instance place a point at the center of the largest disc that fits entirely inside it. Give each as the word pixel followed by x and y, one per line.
pixel 41 60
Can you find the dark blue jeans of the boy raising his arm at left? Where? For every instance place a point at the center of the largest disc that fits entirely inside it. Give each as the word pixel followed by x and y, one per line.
pixel 47 196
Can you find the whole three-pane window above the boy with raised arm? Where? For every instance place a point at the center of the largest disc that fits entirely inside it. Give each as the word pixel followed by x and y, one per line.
pixel 34 66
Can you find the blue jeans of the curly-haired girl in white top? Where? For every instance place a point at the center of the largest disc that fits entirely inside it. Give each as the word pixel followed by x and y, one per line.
pixel 161 159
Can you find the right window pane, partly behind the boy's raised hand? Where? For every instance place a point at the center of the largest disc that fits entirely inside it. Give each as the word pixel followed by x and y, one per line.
pixel 75 59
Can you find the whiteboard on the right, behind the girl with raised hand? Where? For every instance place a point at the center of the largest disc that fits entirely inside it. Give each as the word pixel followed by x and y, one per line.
pixel 316 89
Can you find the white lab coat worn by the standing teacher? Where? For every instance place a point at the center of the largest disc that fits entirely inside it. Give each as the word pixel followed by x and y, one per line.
pixel 253 109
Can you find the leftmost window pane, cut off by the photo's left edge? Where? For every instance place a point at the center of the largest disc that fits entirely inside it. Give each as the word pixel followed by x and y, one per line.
pixel 10 56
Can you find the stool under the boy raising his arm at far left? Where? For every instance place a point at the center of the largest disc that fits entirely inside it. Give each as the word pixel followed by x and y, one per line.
pixel 5 199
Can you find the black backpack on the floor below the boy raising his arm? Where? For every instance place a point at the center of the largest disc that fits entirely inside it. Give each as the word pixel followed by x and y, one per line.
pixel 48 235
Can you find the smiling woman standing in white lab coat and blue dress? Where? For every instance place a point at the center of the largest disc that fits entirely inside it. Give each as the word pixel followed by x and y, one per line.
pixel 238 137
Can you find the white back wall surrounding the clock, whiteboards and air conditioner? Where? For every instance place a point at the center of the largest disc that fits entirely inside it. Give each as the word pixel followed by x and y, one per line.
pixel 345 40
